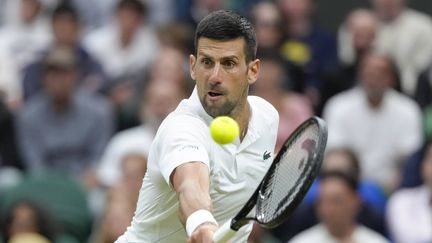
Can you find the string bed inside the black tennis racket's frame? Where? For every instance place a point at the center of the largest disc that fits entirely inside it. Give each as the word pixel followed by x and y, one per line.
pixel 287 179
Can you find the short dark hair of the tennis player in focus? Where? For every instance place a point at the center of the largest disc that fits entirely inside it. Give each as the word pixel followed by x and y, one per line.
pixel 228 25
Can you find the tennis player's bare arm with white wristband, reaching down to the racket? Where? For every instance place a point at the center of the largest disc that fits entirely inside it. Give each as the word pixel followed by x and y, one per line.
pixel 191 183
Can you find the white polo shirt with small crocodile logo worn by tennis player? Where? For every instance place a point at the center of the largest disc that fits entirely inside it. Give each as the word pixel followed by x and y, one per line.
pixel 235 169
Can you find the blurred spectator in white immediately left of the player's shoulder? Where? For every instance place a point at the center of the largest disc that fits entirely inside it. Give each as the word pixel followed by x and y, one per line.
pixel 160 98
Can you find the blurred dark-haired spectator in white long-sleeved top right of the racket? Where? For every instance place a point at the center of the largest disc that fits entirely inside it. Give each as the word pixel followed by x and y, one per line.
pixel 365 119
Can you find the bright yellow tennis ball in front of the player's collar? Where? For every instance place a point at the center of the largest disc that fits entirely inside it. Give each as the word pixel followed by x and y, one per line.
pixel 224 129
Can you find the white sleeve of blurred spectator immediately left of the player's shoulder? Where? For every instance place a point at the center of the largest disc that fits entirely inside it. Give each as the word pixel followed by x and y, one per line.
pixel 133 140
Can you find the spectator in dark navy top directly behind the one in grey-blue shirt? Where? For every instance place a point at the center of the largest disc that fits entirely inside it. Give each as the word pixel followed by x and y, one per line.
pixel 66 33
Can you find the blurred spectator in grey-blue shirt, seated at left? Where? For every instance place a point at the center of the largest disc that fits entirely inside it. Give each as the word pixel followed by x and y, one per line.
pixel 63 128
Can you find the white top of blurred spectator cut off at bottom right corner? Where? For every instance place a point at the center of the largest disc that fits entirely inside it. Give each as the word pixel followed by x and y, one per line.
pixel 409 215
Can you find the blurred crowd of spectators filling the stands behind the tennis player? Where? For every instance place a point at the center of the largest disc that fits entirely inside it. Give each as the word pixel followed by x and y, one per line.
pixel 84 86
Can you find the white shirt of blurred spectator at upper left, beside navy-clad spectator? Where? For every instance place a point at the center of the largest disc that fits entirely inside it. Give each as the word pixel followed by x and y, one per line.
pixel 117 61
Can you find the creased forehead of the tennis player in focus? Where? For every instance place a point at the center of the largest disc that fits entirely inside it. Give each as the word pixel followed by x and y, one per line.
pixel 221 48
